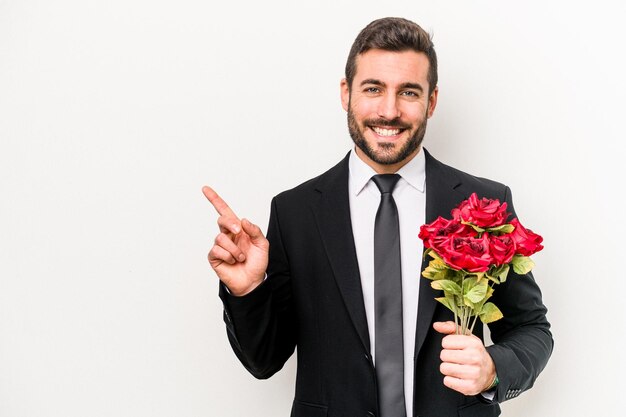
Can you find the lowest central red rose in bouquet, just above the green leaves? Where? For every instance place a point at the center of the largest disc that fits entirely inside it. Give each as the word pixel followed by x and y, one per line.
pixel 469 253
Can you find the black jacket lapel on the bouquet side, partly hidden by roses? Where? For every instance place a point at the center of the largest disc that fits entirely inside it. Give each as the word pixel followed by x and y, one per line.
pixel 441 197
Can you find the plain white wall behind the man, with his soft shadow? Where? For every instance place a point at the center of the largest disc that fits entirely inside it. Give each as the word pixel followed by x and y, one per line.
pixel 114 113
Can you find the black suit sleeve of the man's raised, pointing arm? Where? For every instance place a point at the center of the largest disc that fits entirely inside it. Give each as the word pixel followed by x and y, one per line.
pixel 261 325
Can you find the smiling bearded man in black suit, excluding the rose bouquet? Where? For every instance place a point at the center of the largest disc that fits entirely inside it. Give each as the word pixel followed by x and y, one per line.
pixel 315 282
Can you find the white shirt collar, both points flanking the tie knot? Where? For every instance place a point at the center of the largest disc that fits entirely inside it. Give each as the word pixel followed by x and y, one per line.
pixel 414 173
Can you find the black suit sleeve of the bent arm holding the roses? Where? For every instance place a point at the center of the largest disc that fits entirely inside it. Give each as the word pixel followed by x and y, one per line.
pixel 522 339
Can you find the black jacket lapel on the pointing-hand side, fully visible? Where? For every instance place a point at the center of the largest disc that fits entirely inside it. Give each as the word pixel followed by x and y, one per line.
pixel 335 226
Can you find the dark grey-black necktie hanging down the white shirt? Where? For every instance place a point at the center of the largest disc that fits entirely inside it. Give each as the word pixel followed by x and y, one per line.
pixel 388 301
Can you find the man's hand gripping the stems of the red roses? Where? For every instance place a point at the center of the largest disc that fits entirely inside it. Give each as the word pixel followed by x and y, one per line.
pixel 465 363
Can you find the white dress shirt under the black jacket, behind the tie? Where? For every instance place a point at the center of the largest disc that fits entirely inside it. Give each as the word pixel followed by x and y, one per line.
pixel 410 198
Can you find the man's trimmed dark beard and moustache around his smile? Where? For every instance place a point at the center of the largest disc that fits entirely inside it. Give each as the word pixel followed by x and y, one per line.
pixel 388 154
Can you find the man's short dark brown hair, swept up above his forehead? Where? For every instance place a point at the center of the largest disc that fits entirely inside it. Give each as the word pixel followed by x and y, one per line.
pixel 393 34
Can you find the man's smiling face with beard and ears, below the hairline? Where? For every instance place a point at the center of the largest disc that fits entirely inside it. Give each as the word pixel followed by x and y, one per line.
pixel 388 105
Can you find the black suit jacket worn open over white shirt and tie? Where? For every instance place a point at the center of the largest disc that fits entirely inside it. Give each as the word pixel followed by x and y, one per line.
pixel 312 300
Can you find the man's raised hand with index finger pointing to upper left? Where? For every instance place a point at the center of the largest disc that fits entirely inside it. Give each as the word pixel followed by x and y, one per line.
pixel 240 253
